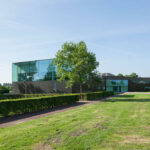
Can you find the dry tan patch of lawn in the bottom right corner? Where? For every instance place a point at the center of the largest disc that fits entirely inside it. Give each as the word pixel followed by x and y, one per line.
pixel 136 139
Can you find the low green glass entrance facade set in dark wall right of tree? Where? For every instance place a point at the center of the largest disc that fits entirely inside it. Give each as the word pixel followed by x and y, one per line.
pixel 117 85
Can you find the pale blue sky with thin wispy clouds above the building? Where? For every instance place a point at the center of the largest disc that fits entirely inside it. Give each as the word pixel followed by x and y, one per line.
pixel 117 31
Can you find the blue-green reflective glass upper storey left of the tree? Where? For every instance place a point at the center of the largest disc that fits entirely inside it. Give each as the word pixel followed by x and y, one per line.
pixel 40 70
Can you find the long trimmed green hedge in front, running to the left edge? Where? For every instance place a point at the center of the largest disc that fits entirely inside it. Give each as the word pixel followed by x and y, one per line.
pixel 20 106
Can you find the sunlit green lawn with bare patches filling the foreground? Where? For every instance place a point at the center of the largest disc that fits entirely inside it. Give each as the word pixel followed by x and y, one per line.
pixel 122 123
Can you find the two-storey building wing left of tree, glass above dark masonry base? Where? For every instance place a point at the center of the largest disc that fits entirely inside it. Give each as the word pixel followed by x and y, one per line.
pixel 37 76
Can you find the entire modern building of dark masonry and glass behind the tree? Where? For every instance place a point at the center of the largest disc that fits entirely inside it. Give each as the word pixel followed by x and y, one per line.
pixel 39 76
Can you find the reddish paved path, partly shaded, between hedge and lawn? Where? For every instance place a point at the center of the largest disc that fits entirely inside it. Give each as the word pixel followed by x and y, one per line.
pixel 9 121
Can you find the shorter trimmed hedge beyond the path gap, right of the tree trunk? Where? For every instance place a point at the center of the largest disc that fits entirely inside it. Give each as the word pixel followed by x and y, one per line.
pixel 96 95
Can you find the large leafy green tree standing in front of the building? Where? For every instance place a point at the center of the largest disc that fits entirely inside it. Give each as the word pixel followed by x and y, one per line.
pixel 75 64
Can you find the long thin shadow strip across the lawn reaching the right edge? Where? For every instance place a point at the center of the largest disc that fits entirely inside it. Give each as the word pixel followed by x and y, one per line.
pixel 127 100
